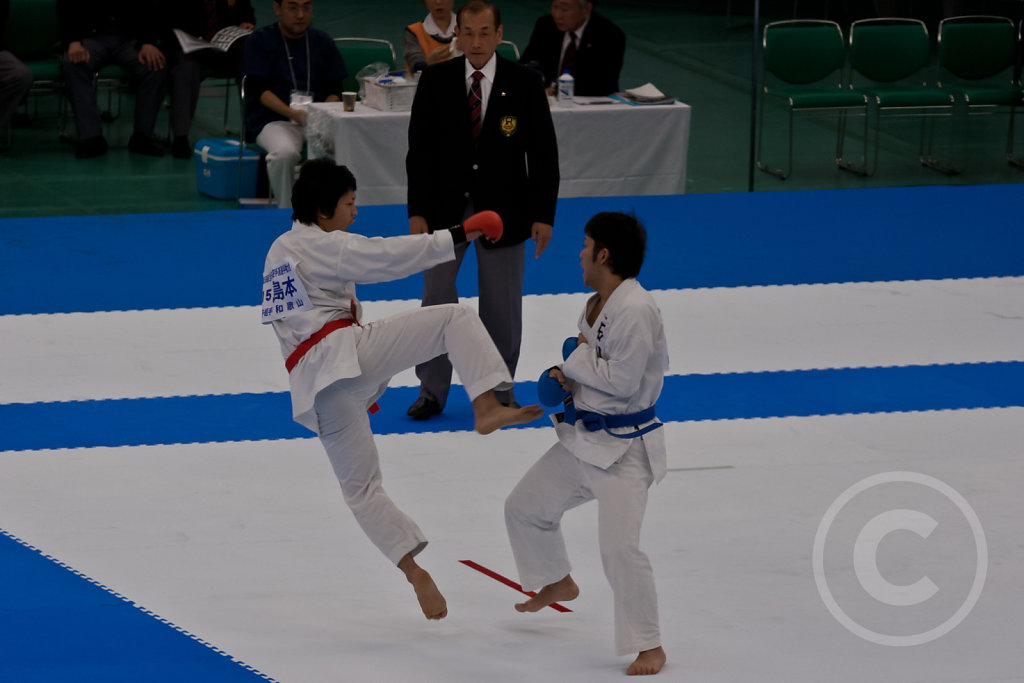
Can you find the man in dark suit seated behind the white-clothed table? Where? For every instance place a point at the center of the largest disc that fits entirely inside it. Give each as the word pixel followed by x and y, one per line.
pixel 576 38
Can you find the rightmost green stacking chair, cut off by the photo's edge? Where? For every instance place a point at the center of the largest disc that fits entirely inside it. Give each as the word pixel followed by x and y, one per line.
pixel 977 64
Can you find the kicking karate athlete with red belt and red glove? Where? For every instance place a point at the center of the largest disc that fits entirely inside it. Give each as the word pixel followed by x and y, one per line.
pixel 338 368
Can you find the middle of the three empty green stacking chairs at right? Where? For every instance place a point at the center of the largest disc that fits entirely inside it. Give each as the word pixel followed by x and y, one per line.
pixel 889 64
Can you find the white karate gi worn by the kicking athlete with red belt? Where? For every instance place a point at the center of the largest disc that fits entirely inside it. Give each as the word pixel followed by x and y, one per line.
pixel 338 379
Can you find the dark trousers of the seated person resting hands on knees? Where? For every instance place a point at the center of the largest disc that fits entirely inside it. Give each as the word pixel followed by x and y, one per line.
pixel 150 86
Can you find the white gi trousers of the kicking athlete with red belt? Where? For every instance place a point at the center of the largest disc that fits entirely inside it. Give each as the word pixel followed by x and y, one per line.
pixel 387 348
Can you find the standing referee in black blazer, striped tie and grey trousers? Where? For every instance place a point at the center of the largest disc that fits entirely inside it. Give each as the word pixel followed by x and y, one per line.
pixel 481 138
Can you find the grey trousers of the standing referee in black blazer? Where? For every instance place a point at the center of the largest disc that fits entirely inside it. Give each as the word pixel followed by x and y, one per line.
pixel 499 276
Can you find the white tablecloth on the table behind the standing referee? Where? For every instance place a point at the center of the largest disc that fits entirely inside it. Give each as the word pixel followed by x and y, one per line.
pixel 604 150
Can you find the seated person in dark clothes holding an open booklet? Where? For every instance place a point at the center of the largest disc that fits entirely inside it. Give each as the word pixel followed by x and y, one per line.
pixel 200 19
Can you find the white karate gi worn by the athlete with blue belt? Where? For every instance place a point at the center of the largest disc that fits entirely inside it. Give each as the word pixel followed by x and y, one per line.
pixel 619 371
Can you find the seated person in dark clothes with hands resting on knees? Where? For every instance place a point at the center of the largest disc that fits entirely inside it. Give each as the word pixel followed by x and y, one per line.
pixel 96 33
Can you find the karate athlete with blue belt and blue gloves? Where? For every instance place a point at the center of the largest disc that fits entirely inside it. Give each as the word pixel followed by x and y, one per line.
pixel 610 448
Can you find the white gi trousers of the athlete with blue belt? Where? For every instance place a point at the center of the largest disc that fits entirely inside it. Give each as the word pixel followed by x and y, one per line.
pixel 561 482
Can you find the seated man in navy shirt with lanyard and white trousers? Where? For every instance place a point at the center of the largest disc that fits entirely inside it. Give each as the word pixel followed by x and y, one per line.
pixel 288 66
